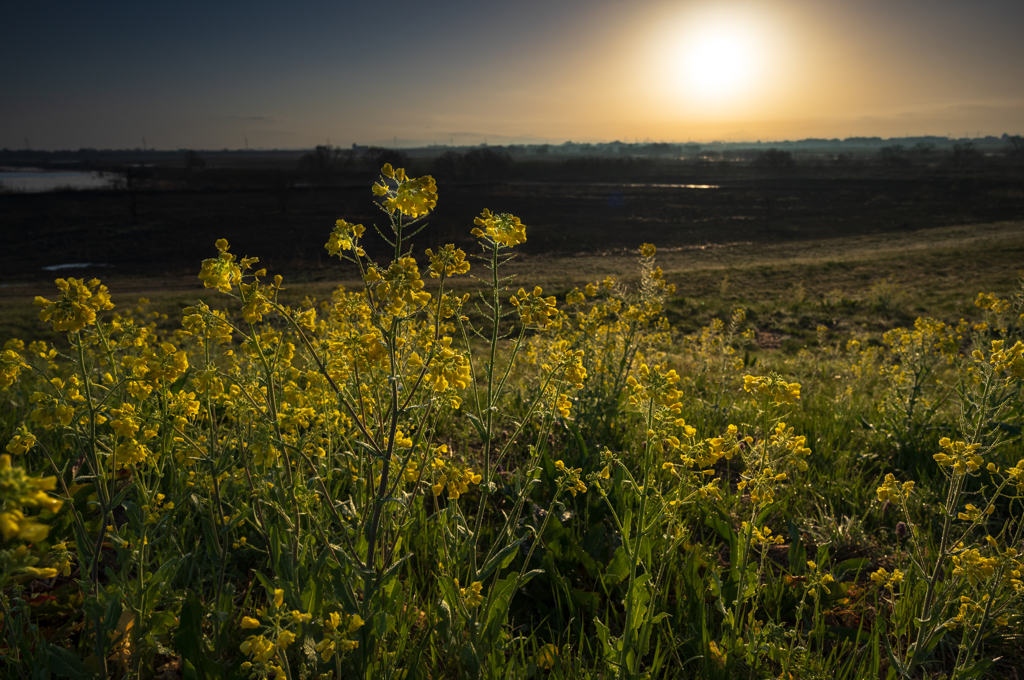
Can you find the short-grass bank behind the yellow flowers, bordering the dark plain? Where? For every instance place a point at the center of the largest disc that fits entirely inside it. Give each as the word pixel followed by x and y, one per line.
pixel 785 285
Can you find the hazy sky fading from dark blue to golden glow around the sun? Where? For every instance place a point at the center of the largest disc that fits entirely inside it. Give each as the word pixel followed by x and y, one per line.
pixel 223 75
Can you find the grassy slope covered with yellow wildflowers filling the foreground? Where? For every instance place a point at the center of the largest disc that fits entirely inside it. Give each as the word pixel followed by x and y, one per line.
pixel 776 459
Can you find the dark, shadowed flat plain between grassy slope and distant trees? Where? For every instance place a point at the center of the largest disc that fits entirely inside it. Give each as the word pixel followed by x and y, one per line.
pixel 287 229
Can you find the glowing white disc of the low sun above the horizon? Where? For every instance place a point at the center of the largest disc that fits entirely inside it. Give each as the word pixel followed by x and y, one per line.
pixel 718 65
